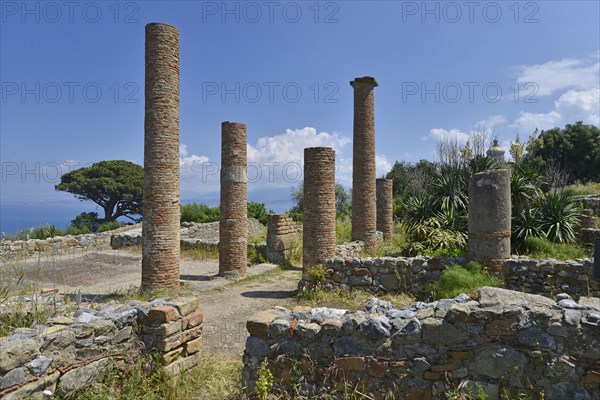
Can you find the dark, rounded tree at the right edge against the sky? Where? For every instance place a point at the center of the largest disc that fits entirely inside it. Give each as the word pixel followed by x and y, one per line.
pixel 576 149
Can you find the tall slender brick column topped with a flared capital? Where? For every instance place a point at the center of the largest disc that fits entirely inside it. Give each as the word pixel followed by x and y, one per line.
pixel 364 209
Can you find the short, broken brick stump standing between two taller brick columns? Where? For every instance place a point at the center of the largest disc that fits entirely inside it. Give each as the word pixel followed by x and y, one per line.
pixel 281 235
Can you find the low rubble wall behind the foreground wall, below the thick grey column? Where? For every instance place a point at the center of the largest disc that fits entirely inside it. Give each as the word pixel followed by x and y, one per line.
pixel 413 274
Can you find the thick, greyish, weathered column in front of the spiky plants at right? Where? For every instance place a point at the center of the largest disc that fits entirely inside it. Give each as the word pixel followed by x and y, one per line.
pixel 490 218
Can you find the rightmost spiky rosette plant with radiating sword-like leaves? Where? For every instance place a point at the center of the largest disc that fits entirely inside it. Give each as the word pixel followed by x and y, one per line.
pixel 559 217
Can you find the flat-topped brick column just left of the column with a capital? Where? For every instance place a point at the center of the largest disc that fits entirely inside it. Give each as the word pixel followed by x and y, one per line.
pixel 319 208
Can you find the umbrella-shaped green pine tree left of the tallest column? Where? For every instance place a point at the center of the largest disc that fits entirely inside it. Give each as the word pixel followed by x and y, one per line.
pixel 115 185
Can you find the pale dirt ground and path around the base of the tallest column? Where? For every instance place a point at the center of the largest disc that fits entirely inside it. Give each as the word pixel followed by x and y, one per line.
pixel 92 275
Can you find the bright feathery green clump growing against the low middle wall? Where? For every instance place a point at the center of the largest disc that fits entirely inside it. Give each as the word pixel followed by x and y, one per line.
pixel 456 279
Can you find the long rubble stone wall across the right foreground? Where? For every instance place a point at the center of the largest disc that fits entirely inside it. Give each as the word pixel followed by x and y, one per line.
pixel 501 342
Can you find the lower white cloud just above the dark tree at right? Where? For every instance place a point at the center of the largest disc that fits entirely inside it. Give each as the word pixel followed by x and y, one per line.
pixel 572 106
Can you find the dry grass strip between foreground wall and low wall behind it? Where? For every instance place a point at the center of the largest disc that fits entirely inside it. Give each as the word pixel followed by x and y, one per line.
pixel 346 299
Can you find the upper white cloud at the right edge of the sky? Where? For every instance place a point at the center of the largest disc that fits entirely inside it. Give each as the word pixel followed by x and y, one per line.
pixel 568 73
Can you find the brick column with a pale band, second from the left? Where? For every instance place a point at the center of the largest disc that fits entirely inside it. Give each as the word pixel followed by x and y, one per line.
pixel 233 227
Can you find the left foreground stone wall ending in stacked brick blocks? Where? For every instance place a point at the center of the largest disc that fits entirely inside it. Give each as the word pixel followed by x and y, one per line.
pixel 71 352
